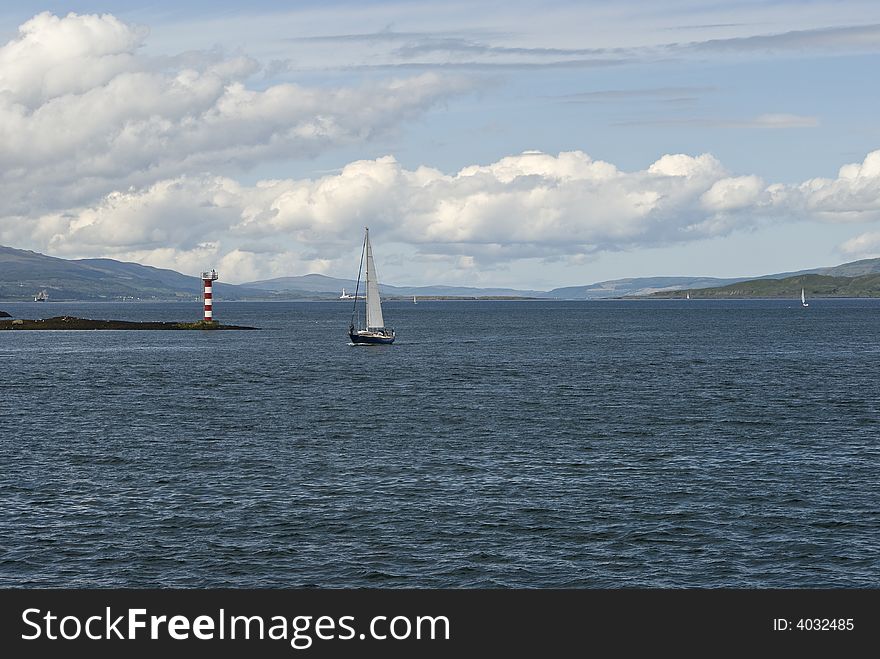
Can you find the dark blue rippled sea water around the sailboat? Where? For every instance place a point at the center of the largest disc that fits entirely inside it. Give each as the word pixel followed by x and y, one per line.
pixel 526 444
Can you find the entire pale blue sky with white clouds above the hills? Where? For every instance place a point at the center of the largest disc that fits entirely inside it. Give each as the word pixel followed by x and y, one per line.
pixel 518 144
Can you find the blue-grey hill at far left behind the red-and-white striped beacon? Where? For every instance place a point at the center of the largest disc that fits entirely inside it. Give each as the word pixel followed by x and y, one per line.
pixel 23 273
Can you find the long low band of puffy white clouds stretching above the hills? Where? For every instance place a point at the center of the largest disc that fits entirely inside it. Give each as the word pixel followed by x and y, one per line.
pixel 531 205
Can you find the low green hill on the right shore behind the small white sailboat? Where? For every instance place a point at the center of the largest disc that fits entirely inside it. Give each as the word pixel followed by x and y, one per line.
pixel 789 287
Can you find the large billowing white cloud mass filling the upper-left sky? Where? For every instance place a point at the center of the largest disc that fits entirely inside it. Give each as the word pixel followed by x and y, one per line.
pixel 83 113
